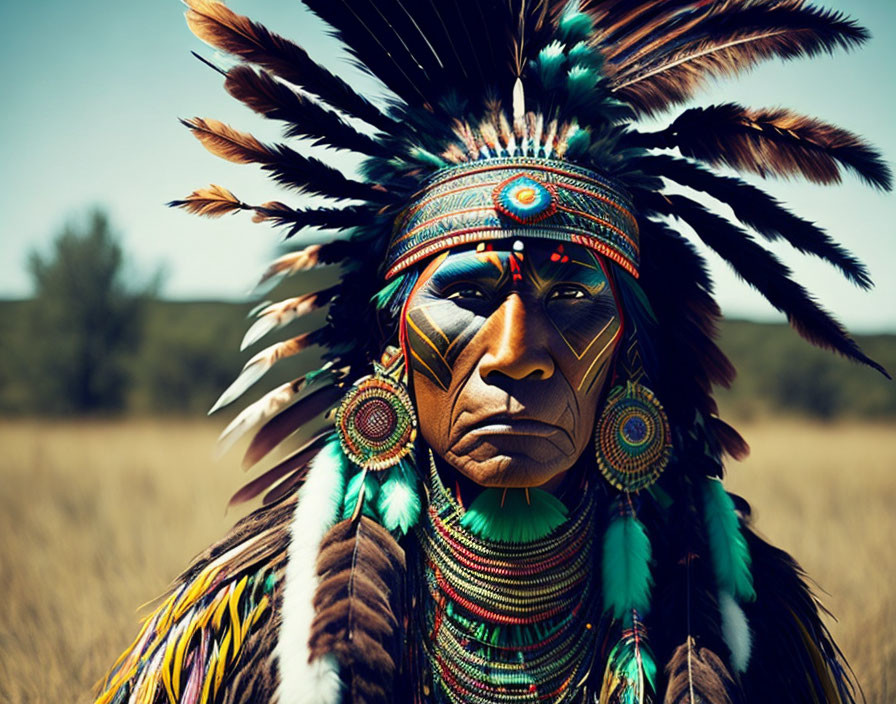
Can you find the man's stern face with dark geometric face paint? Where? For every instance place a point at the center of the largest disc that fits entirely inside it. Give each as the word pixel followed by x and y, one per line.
pixel 509 348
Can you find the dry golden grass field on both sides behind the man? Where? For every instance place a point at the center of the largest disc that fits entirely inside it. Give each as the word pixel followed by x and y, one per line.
pixel 96 518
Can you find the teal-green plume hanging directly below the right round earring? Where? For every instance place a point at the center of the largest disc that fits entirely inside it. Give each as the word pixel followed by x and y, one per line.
pixel 626 566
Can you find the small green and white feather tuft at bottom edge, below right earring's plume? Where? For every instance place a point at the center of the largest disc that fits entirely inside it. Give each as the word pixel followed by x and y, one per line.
pixel 630 674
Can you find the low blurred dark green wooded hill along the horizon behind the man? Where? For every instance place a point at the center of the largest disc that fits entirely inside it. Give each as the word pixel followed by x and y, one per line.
pixel 190 354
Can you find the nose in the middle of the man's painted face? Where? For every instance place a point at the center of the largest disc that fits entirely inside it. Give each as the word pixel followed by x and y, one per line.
pixel 519 345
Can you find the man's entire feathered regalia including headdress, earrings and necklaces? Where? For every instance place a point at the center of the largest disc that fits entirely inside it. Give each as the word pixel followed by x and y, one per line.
pixel 506 118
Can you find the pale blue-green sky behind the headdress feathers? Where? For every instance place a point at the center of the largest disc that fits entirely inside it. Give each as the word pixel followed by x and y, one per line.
pixel 92 92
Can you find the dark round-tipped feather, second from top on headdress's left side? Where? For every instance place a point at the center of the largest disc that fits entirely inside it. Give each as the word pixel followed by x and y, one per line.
pixel 277 101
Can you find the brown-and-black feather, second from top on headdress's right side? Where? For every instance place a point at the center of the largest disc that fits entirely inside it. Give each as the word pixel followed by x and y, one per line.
pixel 770 142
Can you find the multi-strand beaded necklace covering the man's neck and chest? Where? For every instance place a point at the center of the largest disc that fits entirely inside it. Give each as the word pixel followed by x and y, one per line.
pixel 506 622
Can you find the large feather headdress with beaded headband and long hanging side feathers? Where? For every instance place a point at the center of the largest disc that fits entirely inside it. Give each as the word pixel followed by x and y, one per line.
pixel 557 87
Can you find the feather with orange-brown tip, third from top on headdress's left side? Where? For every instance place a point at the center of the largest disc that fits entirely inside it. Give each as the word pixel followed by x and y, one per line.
pixel 288 167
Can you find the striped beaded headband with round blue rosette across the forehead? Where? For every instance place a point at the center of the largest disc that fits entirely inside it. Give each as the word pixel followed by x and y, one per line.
pixel 521 197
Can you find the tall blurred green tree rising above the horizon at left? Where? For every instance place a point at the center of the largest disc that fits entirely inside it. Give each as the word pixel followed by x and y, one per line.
pixel 85 320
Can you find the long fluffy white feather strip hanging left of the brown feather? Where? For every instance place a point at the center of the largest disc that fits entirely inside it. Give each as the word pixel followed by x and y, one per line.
pixel 319 507
